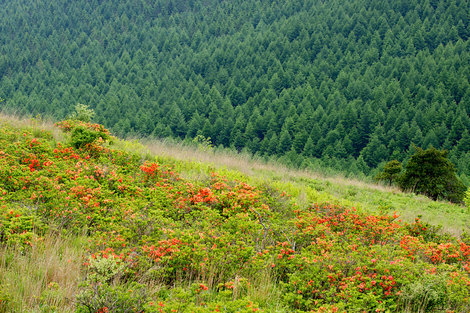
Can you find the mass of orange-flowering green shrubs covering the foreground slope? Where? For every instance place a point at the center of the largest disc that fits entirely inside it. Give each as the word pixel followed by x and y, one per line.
pixel 209 241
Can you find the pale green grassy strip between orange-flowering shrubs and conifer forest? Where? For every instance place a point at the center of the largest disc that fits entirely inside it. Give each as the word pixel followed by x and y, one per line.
pixel 308 187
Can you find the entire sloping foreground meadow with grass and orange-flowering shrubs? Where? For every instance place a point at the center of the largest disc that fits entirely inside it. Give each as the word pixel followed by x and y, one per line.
pixel 91 223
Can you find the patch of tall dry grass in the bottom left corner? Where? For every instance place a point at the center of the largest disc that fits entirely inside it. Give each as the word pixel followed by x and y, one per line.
pixel 43 276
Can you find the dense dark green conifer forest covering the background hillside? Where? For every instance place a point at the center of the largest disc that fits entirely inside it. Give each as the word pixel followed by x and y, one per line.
pixel 343 84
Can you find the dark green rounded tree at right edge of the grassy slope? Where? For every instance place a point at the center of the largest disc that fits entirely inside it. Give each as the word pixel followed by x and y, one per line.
pixel 430 172
